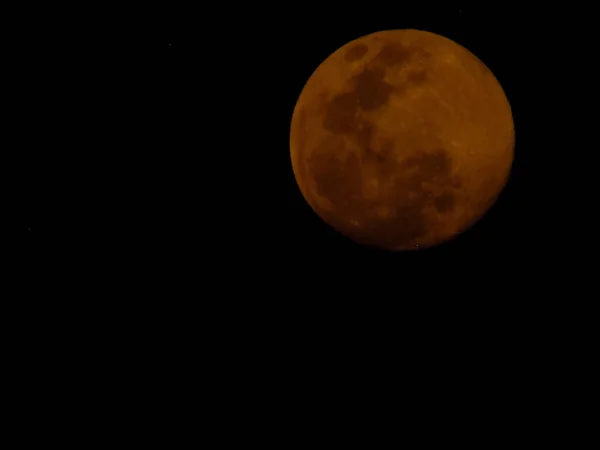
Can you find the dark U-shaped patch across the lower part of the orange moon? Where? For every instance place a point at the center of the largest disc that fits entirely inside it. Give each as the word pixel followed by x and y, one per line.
pixel 417 186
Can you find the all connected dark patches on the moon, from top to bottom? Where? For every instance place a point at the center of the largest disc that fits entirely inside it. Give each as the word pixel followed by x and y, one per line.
pixel 416 187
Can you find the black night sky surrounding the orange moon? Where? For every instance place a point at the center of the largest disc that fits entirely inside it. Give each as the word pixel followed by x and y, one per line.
pixel 165 243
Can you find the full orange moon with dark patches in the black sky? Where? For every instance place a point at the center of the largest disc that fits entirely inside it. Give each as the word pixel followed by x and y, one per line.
pixel 401 139
